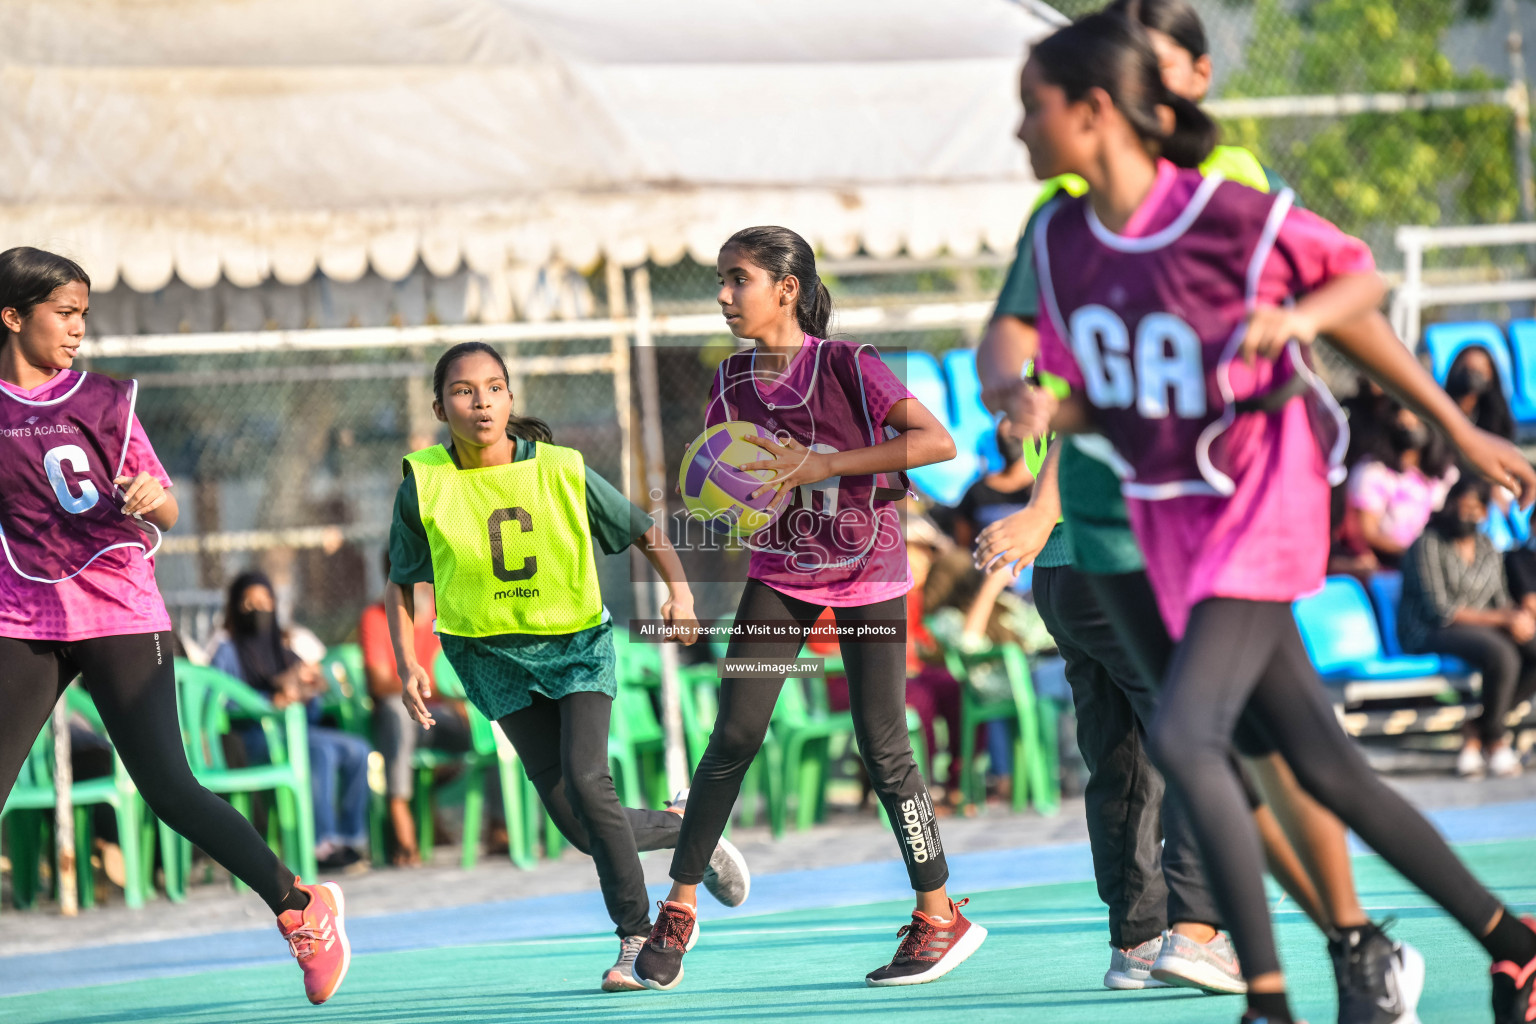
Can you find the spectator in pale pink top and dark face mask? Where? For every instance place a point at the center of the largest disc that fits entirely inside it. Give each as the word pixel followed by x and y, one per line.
pixel 1394 492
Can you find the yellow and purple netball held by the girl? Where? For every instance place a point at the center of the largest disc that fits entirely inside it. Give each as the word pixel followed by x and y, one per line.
pixel 715 489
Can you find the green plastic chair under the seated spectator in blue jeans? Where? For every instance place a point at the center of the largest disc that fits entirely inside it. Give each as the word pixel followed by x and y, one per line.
pixel 211 702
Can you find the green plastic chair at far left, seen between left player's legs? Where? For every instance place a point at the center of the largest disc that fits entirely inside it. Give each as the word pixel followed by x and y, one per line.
pixel 35 793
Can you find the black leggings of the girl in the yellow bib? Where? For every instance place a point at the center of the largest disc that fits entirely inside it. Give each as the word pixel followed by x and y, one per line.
pixel 564 748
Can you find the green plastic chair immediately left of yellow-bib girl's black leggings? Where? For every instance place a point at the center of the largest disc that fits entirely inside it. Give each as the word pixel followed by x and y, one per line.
pixel 489 750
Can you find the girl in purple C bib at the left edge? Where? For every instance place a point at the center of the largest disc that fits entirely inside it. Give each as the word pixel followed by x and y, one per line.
pixel 82 506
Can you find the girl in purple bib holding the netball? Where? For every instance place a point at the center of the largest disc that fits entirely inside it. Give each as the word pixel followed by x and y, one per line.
pixel 841 421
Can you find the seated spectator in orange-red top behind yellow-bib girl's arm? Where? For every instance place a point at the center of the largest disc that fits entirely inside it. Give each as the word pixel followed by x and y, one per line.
pixel 396 733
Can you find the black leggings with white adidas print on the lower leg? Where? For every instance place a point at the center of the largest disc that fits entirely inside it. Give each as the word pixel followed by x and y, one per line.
pixel 878 698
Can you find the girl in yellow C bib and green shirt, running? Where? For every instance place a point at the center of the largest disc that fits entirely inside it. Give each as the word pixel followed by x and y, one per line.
pixel 502 521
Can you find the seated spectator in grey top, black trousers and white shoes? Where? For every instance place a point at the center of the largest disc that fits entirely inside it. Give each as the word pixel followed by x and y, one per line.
pixel 1455 601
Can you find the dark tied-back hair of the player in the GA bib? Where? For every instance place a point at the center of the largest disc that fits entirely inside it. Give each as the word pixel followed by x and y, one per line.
pixel 1111 53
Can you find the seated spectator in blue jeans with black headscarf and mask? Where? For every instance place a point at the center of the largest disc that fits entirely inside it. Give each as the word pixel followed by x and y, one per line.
pixel 259 655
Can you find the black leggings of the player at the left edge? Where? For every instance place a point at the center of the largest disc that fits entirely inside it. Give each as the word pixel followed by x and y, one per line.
pixel 134 687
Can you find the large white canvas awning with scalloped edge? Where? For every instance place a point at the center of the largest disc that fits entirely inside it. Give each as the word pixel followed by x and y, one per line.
pixel 268 140
